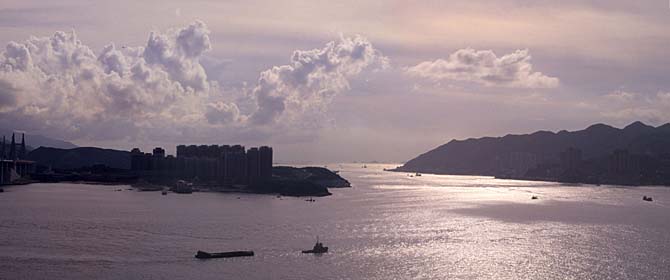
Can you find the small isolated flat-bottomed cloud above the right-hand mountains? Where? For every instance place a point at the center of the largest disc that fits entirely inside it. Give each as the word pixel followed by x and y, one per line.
pixel 484 67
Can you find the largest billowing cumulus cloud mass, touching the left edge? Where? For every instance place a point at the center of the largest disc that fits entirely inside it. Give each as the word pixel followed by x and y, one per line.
pixel 58 84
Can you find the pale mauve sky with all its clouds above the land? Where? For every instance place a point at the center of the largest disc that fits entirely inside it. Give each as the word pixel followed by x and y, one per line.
pixel 328 81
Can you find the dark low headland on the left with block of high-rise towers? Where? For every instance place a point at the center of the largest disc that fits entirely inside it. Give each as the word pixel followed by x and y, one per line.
pixel 223 168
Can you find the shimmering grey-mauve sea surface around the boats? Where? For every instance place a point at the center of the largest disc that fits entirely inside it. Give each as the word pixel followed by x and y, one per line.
pixel 388 226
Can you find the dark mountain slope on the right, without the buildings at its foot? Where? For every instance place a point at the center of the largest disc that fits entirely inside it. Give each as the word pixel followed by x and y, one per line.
pixel 515 155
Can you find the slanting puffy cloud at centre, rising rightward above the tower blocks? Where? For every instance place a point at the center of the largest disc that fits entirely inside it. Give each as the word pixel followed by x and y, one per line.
pixel 311 80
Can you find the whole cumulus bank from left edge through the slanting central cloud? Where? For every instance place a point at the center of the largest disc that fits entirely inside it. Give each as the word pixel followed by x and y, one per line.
pixel 59 86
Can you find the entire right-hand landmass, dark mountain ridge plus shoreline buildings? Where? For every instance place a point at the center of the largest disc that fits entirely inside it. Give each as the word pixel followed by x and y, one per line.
pixel 638 154
